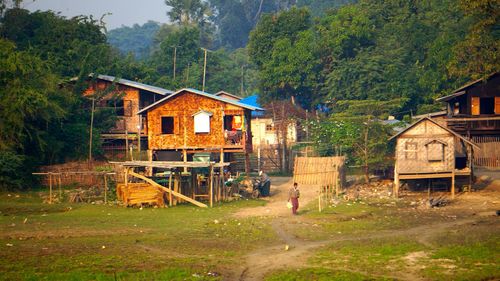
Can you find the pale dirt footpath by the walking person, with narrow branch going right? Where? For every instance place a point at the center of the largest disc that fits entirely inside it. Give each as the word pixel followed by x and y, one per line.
pixel 293 253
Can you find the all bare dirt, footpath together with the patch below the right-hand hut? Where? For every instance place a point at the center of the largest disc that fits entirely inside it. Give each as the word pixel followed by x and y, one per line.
pixel 292 252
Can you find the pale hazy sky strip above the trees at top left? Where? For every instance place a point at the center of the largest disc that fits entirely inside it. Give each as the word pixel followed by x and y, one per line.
pixel 124 12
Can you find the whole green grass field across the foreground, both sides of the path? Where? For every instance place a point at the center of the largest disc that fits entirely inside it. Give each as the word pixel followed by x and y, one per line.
pixel 372 239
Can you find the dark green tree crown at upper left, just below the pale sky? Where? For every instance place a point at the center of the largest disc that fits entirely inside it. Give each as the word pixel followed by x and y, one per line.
pixel 68 44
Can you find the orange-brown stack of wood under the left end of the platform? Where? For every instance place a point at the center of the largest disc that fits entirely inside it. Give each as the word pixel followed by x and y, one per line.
pixel 138 194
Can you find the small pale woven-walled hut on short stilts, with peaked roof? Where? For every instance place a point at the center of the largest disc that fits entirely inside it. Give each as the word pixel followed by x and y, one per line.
pixel 429 150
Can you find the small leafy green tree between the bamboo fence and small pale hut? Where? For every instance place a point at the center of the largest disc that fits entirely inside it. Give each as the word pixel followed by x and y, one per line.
pixel 358 131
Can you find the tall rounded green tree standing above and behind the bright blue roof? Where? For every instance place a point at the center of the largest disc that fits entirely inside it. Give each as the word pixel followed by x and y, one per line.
pixel 282 48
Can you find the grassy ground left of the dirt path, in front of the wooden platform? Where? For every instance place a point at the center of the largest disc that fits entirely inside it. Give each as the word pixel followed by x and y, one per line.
pixel 99 242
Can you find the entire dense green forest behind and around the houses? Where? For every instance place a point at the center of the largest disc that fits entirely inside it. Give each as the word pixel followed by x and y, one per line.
pixel 352 61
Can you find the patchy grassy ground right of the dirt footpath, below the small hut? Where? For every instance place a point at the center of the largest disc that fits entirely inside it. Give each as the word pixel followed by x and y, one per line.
pixel 377 240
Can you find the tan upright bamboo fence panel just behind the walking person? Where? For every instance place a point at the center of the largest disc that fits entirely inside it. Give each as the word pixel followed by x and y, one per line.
pixel 318 170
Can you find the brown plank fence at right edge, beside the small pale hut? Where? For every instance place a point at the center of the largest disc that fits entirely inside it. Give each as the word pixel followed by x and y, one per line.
pixel 489 154
